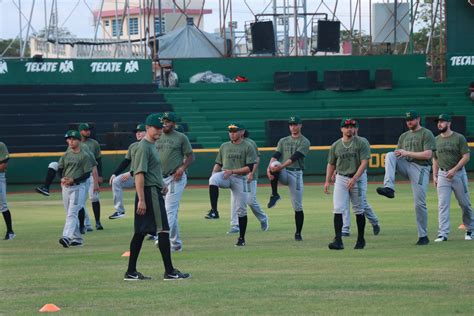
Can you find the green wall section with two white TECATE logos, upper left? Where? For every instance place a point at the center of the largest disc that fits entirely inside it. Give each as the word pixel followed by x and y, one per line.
pixel 75 71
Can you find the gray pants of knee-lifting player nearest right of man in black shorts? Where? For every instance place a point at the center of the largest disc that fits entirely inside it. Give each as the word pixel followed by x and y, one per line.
pixel 239 187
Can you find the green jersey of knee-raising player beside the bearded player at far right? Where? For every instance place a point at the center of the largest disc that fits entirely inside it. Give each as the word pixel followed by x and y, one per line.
pixel 421 140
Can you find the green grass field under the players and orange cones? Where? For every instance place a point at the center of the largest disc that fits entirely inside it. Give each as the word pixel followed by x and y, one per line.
pixel 273 274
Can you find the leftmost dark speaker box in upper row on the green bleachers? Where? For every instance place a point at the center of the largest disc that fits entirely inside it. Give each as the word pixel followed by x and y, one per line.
pixel 295 81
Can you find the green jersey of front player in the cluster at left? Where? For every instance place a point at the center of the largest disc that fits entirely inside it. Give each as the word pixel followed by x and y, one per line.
pixel 74 164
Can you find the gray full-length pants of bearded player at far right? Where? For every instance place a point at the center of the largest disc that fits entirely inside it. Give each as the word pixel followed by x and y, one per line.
pixel 459 185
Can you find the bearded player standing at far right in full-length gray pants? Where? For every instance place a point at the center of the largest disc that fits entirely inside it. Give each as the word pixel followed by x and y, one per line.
pixel 449 175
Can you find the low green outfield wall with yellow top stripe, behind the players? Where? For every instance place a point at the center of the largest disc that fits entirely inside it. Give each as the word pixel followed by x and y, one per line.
pixel 31 167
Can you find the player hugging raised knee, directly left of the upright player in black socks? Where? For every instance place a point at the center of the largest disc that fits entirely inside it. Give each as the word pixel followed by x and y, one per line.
pixel 291 150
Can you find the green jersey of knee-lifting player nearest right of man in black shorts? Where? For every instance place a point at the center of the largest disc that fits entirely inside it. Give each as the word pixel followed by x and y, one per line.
pixel 236 156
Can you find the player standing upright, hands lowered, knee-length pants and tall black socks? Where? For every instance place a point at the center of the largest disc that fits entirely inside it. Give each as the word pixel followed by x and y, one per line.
pixel 348 157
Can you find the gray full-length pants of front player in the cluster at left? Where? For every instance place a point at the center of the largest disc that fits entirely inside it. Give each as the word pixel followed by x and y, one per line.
pixel 73 198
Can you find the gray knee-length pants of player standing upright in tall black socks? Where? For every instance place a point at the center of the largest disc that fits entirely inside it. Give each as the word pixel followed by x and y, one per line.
pixel 342 197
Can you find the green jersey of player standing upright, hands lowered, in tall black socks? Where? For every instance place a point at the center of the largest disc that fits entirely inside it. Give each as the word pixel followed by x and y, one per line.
pixel 347 157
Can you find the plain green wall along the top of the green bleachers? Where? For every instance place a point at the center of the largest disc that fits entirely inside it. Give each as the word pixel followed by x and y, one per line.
pixel 404 67
